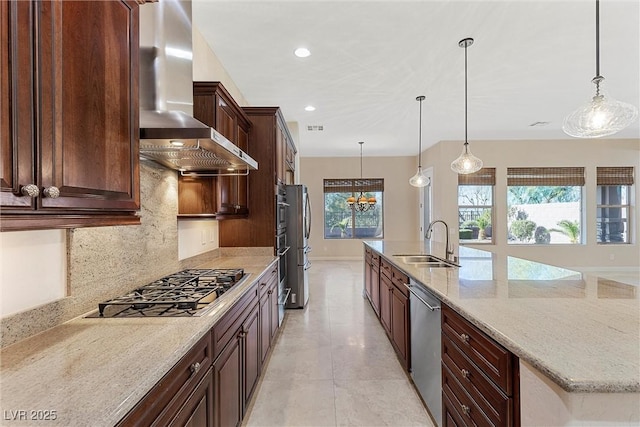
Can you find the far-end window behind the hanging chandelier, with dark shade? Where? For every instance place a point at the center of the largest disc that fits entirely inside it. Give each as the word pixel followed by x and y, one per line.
pixel 343 222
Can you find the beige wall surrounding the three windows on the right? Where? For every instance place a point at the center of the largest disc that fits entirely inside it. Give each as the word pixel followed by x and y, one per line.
pixel 570 152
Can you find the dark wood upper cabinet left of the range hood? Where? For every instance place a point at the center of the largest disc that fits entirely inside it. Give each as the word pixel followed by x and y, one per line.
pixel 70 114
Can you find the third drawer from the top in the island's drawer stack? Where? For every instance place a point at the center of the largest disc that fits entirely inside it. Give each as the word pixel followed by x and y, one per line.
pixel 460 401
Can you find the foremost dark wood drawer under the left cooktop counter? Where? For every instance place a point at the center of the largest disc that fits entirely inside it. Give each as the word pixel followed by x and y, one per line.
pixel 169 394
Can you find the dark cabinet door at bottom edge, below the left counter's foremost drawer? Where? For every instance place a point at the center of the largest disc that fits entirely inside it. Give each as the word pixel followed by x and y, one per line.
pixel 198 409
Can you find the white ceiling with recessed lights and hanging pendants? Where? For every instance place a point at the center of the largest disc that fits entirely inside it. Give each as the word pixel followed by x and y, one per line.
pixel 532 61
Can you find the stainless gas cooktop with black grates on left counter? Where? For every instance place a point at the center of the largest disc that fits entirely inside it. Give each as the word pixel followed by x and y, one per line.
pixel 182 294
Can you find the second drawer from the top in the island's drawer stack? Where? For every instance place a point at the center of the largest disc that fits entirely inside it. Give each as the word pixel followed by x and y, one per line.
pixel 491 400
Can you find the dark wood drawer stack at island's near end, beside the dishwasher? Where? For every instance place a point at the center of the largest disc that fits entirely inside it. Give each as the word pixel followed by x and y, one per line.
pixel 480 378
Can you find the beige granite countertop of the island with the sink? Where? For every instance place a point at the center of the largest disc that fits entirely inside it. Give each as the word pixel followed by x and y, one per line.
pixel 580 330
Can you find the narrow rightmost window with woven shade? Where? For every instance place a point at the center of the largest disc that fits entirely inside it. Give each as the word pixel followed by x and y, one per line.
pixel 613 194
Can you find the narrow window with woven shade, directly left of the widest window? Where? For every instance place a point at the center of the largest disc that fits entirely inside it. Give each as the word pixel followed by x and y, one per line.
pixel 475 206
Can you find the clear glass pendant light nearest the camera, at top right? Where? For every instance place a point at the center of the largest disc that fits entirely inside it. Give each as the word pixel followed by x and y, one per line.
pixel 602 116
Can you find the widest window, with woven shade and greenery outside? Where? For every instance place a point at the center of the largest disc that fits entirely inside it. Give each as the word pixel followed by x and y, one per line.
pixel 545 205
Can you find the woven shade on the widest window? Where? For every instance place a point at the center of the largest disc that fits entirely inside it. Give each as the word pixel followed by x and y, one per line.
pixel 570 176
